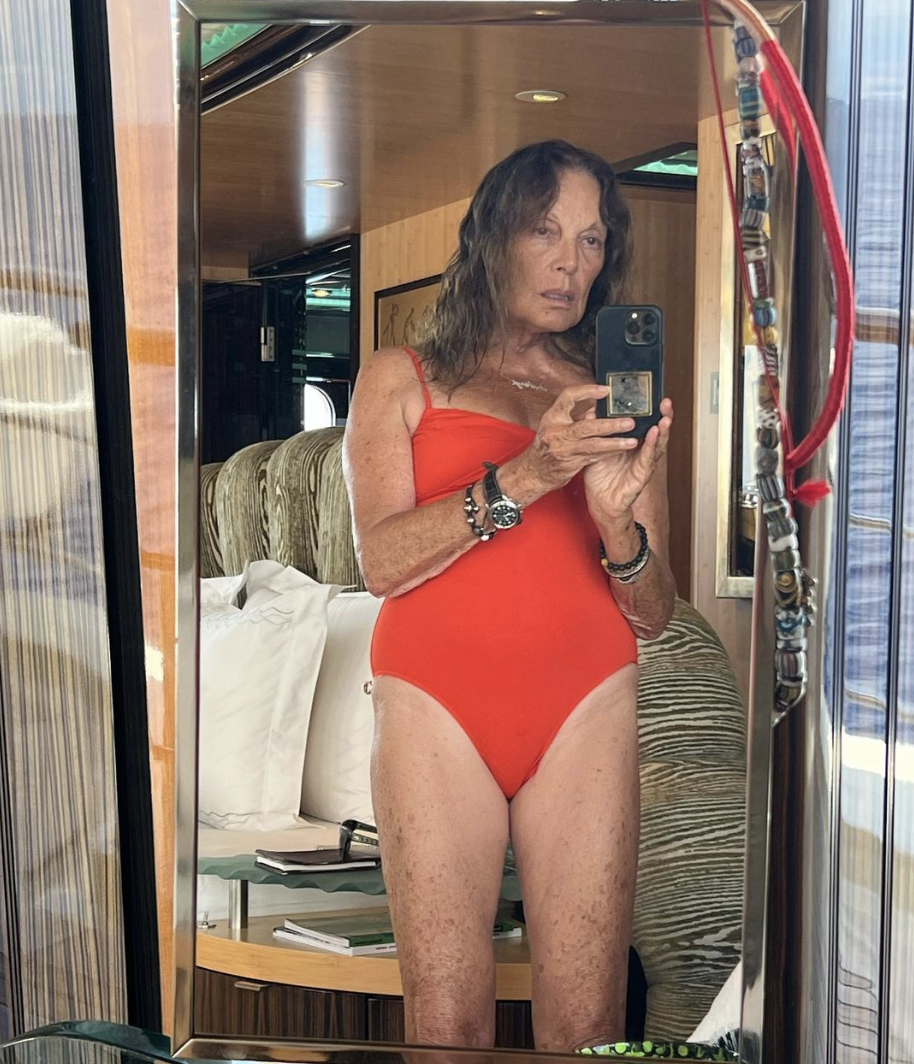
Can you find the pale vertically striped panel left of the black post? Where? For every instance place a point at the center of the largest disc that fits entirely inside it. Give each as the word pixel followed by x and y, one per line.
pixel 61 849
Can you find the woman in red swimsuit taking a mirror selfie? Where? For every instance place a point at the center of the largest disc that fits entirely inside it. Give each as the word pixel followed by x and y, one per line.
pixel 521 545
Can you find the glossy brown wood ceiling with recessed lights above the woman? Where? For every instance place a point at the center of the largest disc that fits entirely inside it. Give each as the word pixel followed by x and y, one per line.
pixel 411 118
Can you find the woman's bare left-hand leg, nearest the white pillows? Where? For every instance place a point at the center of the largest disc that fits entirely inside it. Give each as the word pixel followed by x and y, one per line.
pixel 443 823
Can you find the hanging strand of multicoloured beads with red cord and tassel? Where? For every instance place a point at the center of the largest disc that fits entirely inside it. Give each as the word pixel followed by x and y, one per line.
pixel 777 459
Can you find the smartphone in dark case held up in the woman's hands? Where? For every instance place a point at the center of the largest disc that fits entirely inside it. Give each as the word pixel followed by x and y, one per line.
pixel 629 360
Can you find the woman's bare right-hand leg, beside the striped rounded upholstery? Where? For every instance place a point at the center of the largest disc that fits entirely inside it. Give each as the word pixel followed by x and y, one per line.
pixel 575 829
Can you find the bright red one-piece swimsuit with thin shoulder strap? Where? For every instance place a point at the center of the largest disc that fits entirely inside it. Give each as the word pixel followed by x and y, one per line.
pixel 514 634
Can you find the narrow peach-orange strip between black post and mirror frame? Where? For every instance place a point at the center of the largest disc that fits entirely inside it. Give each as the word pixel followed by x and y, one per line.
pixel 143 89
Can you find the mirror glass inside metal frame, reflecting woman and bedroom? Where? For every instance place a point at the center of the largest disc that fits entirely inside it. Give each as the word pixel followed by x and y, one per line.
pixel 550 742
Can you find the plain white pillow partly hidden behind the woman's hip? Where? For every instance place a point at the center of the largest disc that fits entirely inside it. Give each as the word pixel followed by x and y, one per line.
pixel 337 784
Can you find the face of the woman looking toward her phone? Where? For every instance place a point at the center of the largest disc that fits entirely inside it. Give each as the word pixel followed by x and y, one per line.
pixel 557 261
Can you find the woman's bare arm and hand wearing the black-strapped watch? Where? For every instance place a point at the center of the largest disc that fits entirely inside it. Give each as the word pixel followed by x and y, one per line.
pixel 398 545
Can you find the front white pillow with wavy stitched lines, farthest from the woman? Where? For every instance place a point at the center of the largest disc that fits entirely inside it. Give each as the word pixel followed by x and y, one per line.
pixel 258 671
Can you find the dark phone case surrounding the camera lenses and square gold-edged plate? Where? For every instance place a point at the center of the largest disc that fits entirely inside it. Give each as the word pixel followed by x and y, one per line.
pixel 617 356
